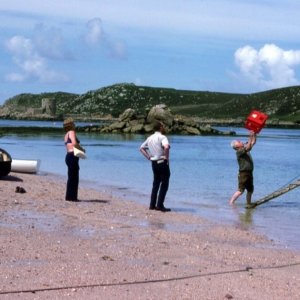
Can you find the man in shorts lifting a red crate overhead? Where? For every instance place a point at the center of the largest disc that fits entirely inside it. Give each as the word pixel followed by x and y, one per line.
pixel 245 162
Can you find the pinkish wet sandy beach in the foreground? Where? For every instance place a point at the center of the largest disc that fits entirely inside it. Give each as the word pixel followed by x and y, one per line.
pixel 108 248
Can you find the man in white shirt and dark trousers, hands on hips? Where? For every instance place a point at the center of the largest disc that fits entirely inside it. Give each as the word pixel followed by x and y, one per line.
pixel 156 148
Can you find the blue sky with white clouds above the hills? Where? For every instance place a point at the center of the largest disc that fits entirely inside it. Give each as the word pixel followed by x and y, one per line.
pixel 236 46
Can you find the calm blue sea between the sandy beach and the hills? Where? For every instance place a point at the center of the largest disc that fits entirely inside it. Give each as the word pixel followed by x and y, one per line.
pixel 203 173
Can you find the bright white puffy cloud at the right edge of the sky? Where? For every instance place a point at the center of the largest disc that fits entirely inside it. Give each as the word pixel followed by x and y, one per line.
pixel 269 67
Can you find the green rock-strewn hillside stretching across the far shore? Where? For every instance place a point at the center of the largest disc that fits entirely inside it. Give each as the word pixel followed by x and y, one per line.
pixel 280 104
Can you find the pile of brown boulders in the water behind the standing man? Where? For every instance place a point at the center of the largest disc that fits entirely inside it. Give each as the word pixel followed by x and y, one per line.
pixel 132 122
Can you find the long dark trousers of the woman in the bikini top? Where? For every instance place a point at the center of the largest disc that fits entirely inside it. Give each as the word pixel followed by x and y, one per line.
pixel 73 176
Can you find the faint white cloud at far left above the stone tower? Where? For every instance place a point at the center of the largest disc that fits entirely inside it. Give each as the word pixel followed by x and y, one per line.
pixel 31 65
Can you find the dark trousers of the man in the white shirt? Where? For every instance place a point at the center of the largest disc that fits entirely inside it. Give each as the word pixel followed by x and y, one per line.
pixel 161 175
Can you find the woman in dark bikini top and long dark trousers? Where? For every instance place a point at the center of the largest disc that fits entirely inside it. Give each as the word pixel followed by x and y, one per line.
pixel 72 161
